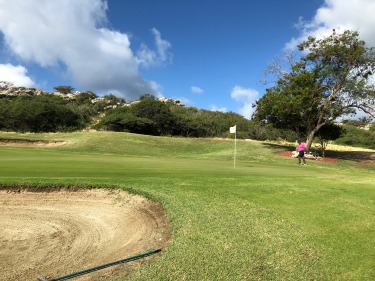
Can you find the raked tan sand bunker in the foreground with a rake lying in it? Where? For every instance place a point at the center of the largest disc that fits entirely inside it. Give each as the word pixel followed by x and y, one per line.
pixel 57 233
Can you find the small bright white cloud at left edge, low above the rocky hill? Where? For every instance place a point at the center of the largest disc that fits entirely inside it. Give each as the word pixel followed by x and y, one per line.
pixel 17 75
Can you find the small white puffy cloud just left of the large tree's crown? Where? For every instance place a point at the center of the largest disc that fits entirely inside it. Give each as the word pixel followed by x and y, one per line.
pixel 247 97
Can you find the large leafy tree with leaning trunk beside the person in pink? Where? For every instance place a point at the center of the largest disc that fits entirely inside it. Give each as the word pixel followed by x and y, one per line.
pixel 332 79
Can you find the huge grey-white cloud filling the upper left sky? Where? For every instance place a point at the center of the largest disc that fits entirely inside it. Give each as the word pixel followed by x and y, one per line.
pixel 70 34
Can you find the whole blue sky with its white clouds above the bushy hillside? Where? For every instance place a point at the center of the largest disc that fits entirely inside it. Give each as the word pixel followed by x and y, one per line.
pixel 210 54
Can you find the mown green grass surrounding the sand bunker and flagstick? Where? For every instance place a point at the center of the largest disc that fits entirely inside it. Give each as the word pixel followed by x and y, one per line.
pixel 266 219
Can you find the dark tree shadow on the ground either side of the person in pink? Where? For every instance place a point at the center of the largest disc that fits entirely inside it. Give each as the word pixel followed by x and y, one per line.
pixel 358 156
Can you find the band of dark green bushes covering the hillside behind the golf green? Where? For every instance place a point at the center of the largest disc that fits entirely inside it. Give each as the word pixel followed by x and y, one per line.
pixel 149 115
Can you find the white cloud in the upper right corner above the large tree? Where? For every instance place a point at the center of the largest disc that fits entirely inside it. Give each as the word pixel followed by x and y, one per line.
pixel 341 15
